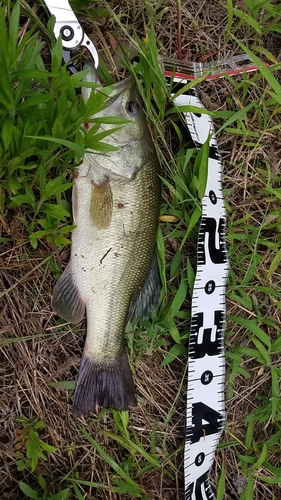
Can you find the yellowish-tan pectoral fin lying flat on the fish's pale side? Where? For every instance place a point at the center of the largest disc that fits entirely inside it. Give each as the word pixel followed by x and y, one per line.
pixel 101 206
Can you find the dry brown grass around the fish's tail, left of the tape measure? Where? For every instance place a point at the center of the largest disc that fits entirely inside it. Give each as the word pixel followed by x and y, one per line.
pixel 27 368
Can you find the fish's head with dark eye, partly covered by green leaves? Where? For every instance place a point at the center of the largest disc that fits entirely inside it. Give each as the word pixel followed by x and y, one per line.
pixel 133 139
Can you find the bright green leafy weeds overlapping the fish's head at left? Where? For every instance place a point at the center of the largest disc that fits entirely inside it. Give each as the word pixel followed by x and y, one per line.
pixel 36 154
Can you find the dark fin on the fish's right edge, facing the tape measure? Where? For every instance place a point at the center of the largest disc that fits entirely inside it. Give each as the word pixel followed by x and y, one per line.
pixel 146 301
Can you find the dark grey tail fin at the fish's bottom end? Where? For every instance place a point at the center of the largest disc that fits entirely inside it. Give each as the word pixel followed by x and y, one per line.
pixel 107 384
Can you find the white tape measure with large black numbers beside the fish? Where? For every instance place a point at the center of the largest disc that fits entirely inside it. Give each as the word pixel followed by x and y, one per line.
pixel 206 364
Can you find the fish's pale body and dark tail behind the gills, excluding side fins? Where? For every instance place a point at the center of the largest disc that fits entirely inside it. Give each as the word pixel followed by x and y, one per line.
pixel 108 267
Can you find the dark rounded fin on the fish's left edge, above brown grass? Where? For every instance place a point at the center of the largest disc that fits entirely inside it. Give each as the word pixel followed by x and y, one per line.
pixel 66 299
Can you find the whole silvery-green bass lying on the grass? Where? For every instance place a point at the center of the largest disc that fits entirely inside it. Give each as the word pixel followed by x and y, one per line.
pixel 112 273
